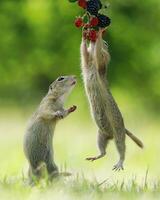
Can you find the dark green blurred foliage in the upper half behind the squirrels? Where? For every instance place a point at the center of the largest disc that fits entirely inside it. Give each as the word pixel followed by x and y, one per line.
pixel 38 42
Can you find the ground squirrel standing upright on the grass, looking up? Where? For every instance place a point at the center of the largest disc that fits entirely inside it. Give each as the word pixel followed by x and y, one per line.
pixel 38 138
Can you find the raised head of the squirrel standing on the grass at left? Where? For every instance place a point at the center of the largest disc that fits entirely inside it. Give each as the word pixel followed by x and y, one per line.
pixel 62 86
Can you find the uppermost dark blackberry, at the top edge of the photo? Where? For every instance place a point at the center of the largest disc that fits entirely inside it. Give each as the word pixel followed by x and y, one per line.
pixel 93 6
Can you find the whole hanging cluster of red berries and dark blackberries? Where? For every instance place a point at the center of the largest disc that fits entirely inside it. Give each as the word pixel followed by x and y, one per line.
pixel 92 20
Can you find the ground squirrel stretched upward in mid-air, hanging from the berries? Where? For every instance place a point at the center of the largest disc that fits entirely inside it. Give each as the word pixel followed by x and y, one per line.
pixel 105 112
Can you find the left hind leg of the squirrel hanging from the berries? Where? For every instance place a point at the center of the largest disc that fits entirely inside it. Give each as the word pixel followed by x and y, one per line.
pixel 102 144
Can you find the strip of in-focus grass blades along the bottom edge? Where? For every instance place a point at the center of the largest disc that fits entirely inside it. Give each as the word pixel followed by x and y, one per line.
pixel 77 187
